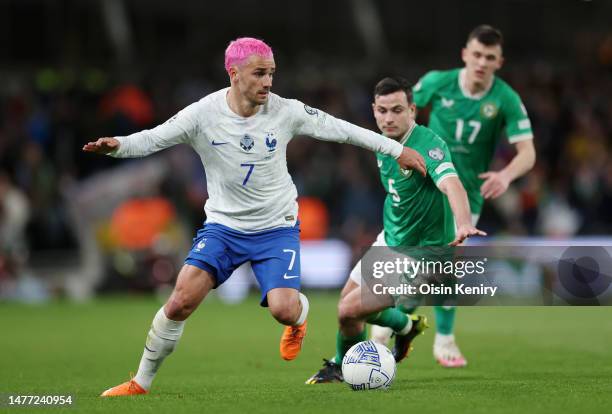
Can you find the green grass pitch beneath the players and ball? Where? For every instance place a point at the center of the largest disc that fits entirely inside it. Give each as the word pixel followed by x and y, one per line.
pixel 525 360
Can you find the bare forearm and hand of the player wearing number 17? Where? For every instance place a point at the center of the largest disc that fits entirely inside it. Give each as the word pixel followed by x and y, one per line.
pixel 496 182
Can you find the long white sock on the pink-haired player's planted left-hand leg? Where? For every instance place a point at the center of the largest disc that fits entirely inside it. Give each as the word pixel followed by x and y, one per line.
pixel 161 341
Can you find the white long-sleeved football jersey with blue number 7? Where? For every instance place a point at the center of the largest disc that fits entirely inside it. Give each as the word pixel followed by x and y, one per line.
pixel 248 183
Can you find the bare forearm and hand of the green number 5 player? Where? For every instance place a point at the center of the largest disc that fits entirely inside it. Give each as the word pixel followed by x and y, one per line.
pixel 457 198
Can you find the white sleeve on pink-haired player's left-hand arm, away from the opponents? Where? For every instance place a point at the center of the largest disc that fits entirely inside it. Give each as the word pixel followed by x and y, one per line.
pixel 181 128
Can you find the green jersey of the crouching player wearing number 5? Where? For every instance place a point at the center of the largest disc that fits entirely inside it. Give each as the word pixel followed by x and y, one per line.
pixel 416 212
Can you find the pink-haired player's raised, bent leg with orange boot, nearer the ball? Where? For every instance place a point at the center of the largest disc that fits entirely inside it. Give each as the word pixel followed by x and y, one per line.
pixel 289 307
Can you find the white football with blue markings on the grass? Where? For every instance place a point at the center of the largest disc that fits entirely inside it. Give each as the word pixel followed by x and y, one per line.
pixel 368 366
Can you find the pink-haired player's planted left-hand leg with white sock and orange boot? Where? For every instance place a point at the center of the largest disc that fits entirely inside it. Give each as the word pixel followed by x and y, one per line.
pixel 192 286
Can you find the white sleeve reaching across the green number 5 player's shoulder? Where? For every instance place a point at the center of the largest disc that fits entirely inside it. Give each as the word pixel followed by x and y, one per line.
pixel 319 125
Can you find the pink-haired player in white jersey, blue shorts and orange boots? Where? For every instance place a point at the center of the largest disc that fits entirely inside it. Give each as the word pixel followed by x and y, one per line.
pixel 241 134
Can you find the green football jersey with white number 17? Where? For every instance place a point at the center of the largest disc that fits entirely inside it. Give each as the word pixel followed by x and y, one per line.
pixel 472 125
